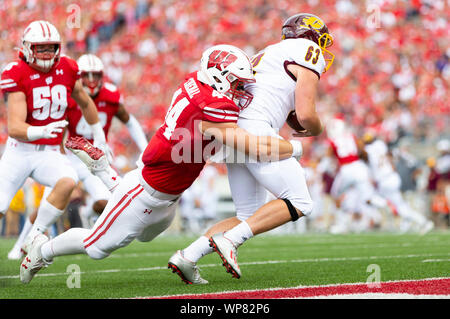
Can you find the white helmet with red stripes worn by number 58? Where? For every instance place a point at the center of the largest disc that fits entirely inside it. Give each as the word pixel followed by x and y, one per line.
pixel 40 33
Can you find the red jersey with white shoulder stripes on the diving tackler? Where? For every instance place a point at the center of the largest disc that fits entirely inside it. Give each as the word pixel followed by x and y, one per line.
pixel 175 157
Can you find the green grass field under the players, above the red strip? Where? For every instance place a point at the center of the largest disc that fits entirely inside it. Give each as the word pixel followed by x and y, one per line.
pixel 266 261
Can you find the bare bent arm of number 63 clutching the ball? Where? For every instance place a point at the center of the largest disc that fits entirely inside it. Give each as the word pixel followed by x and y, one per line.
pixel 305 102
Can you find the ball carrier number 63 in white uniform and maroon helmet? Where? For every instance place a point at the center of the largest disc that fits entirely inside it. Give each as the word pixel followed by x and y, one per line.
pixel 287 77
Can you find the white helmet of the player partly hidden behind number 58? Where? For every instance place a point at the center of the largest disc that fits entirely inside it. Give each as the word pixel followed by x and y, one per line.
pixel 91 68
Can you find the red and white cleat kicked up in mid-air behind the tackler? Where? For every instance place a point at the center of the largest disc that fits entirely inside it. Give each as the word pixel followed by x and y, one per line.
pixel 94 158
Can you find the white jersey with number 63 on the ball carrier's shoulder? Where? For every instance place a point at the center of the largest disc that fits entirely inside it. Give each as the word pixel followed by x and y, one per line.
pixel 274 89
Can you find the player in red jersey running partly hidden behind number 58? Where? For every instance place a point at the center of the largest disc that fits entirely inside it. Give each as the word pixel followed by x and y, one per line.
pixel 108 101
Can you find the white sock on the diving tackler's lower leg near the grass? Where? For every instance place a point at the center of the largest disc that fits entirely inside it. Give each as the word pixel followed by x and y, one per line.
pixel 68 243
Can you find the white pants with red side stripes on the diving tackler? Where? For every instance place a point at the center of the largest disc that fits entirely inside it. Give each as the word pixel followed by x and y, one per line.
pixel 131 213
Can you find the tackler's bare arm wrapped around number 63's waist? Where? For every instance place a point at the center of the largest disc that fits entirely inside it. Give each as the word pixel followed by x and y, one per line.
pixel 262 148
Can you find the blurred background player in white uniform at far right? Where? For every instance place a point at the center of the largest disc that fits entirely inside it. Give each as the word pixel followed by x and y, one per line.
pixel 388 183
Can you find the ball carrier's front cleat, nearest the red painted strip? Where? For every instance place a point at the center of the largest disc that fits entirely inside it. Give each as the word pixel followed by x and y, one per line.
pixel 227 252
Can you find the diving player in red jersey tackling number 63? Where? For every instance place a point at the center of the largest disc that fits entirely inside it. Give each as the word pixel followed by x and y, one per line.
pixel 203 112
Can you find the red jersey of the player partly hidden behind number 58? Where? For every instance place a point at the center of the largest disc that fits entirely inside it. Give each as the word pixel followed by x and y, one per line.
pixel 107 102
